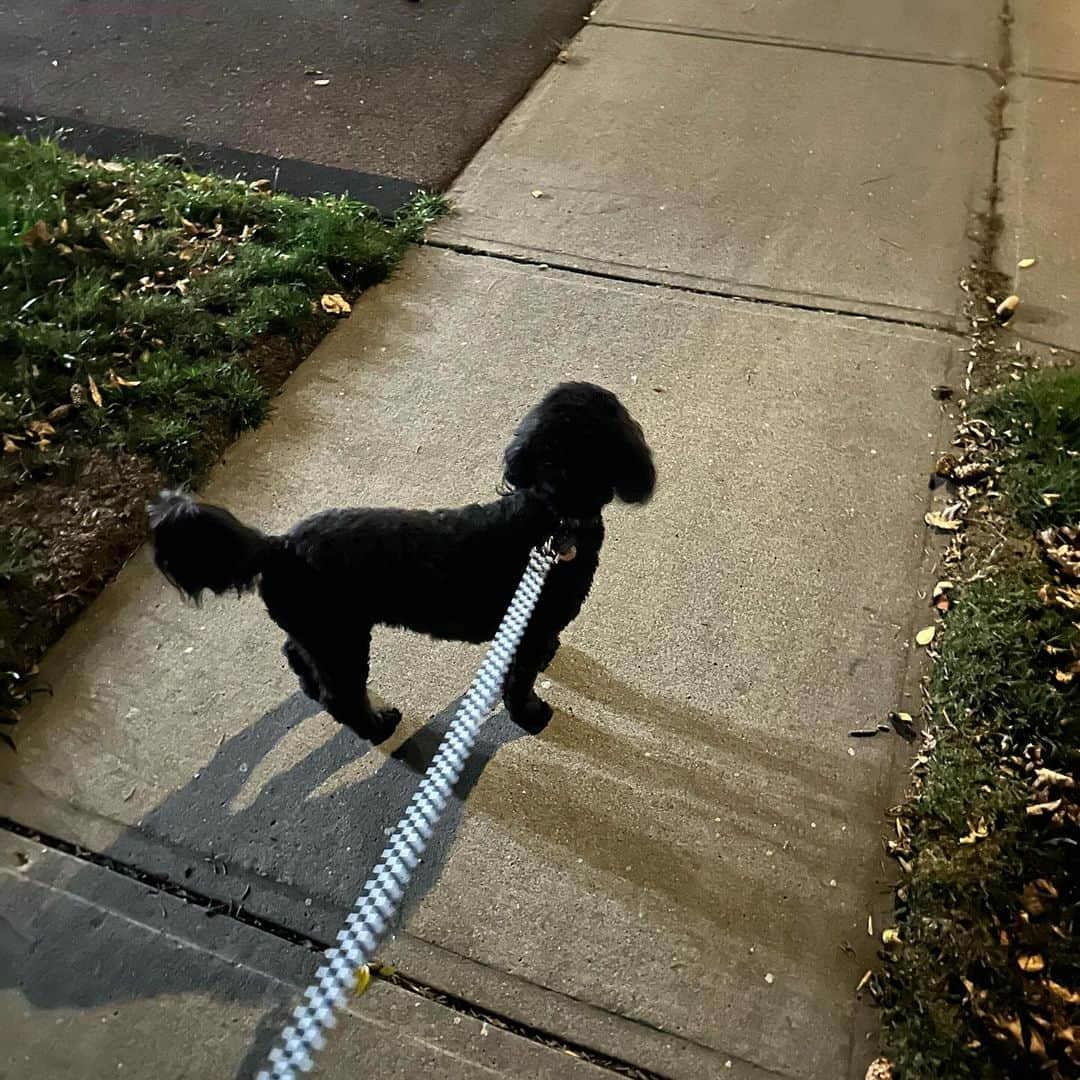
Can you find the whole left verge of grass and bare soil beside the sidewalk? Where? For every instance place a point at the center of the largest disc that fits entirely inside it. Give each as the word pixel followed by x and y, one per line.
pixel 147 315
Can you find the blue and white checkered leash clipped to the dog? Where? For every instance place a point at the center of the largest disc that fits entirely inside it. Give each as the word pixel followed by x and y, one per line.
pixel 383 894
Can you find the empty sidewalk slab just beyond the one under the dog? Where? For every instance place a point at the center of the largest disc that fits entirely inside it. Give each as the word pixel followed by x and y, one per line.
pixel 838 182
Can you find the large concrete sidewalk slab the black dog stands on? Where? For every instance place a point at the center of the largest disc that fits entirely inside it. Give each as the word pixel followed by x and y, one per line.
pixel 693 845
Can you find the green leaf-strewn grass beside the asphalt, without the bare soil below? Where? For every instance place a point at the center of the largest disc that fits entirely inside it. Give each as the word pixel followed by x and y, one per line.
pixel 151 285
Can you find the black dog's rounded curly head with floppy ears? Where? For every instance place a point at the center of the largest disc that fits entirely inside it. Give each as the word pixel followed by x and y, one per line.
pixel 580 449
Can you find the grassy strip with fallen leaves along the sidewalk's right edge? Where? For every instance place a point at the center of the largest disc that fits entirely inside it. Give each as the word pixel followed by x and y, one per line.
pixel 985 979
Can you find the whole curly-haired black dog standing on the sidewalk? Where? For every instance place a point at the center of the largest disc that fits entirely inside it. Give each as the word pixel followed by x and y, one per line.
pixel 450 573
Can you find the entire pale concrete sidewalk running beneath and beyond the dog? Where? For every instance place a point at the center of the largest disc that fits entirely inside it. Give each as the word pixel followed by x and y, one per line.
pixel 752 232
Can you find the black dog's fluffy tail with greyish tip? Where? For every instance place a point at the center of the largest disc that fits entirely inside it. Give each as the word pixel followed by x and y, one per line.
pixel 200 547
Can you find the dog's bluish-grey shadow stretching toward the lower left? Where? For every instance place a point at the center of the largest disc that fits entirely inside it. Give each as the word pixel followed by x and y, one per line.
pixel 300 842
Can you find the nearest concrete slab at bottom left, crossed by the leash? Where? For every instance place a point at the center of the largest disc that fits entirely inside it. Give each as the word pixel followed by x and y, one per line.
pixel 103 977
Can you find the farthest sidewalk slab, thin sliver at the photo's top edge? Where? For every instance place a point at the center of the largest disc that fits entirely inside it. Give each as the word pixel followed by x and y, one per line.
pixel 965 32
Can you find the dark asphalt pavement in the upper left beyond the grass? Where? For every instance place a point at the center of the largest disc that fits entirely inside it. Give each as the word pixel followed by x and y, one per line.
pixel 393 88
